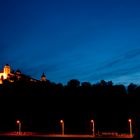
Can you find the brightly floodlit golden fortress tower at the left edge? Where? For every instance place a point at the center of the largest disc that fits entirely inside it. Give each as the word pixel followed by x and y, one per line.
pixel 5 73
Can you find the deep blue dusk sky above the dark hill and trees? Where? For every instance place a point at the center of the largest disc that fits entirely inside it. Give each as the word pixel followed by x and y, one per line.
pixel 88 40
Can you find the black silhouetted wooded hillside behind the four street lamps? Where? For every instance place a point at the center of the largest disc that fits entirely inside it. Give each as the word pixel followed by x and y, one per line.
pixel 41 104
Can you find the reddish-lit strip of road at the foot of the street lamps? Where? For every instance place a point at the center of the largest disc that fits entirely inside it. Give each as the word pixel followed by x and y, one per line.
pixel 34 136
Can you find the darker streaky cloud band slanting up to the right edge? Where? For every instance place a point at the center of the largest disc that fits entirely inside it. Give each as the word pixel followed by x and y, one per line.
pixel 126 64
